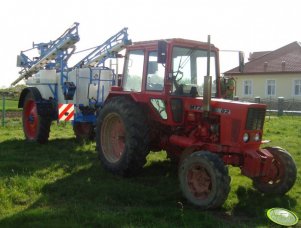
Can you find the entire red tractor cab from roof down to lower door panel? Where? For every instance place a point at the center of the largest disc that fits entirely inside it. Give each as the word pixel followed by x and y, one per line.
pixel 166 74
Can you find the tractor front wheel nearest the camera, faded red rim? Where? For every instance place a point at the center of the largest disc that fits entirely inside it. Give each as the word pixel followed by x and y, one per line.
pixel 204 179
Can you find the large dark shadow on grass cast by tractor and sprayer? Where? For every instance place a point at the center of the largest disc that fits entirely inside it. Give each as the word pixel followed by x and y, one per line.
pixel 87 195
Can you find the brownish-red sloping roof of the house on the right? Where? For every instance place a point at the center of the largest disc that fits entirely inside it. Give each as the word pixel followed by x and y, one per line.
pixel 284 59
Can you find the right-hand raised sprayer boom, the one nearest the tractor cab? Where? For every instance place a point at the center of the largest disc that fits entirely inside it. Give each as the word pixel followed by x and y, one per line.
pixel 106 50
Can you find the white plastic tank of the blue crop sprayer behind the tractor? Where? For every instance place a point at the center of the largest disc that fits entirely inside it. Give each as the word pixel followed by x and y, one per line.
pixel 92 85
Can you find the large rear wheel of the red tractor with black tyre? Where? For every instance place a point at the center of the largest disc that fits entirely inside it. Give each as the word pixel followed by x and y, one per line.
pixel 122 136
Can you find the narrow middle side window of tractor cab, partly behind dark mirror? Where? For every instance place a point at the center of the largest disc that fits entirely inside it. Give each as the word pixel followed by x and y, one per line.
pixel 155 73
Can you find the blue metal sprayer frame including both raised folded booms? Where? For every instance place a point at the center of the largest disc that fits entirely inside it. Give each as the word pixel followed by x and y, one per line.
pixel 55 55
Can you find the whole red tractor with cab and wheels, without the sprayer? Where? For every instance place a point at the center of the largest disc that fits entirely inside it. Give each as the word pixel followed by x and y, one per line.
pixel 164 101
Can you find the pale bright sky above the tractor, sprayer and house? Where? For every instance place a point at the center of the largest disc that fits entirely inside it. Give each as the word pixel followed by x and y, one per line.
pixel 245 25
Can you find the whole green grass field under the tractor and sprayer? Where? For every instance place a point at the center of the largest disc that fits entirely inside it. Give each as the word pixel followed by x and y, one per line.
pixel 62 184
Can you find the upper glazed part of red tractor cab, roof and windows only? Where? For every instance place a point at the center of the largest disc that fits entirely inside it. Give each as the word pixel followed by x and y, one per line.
pixel 173 67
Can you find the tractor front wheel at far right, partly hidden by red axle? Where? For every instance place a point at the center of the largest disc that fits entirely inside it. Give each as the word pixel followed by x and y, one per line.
pixel 282 176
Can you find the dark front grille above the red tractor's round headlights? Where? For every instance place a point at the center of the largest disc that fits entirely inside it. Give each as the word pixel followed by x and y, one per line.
pixel 255 119
